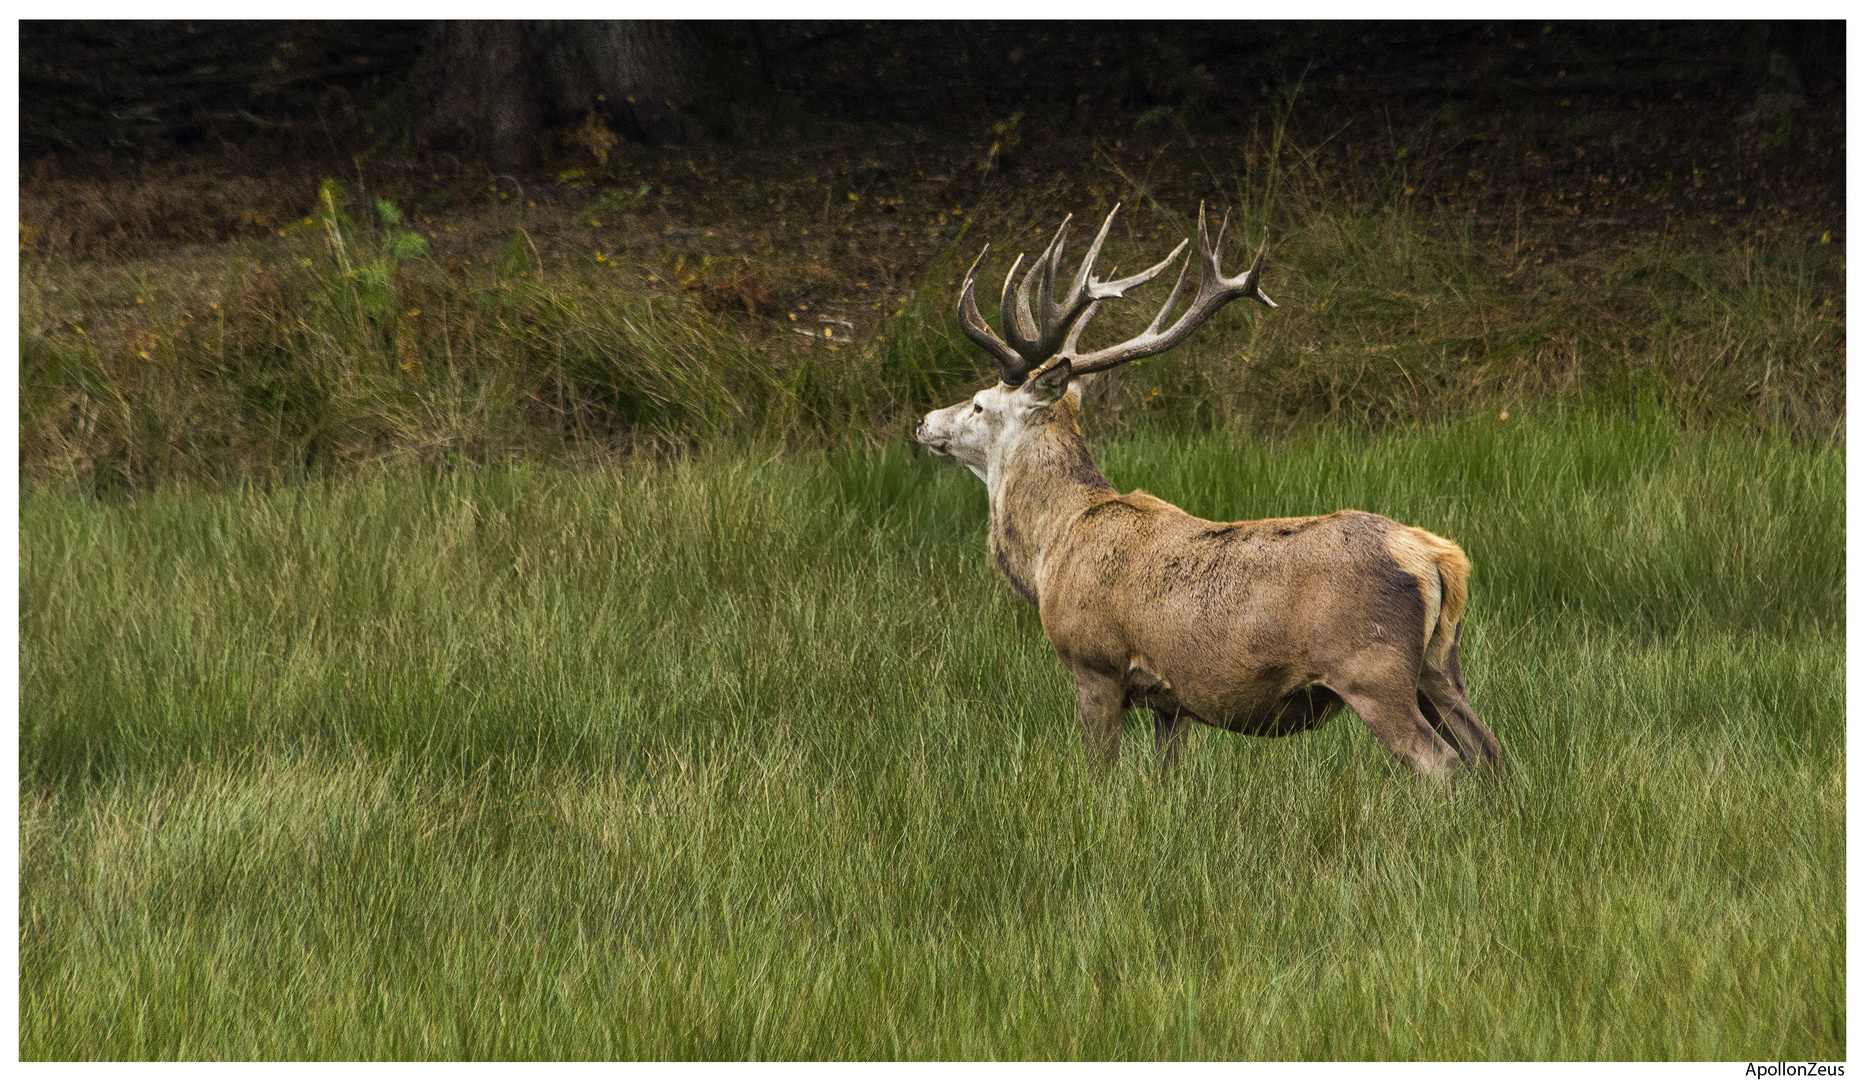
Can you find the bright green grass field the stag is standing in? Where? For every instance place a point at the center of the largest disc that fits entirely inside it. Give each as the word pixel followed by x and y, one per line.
pixel 753 756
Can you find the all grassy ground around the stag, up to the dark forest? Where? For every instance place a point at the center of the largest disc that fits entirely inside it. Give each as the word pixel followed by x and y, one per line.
pixel 471 616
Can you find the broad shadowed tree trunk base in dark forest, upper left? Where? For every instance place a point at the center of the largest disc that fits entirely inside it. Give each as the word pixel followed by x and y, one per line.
pixel 493 89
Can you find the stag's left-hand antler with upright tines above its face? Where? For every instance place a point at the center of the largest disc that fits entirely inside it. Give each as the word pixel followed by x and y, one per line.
pixel 1030 339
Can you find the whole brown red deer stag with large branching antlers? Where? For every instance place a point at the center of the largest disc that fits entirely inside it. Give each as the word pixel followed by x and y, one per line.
pixel 1260 626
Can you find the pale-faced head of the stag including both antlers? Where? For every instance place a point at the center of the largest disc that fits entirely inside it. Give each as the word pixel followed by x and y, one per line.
pixel 1038 355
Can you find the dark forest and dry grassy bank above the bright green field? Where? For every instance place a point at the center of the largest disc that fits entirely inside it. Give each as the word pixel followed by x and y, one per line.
pixel 299 245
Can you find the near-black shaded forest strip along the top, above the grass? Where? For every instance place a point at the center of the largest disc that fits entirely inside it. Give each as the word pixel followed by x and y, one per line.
pixel 495 89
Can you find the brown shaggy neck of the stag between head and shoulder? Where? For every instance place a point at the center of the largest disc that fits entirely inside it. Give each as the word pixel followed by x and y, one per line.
pixel 1038 486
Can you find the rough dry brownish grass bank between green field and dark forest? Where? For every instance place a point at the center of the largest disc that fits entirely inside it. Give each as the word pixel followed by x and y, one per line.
pixel 182 322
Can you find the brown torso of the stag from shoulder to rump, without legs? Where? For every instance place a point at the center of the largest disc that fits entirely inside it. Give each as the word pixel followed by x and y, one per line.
pixel 1249 626
